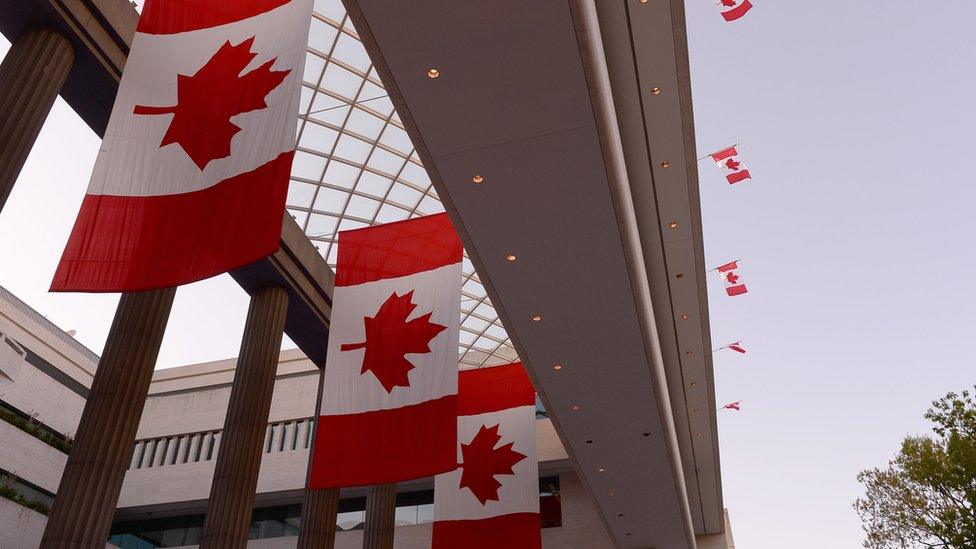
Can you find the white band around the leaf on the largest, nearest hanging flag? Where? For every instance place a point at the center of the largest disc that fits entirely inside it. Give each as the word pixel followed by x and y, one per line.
pixel 150 80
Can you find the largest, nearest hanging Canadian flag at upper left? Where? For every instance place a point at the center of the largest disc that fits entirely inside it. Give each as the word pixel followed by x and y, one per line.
pixel 191 177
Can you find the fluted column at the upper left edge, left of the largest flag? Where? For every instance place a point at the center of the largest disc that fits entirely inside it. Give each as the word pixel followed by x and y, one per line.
pixel 31 77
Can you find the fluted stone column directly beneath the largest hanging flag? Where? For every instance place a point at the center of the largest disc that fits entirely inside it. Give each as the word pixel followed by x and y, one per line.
pixel 89 491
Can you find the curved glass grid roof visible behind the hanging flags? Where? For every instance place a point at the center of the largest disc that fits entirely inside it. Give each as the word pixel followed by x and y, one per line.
pixel 356 166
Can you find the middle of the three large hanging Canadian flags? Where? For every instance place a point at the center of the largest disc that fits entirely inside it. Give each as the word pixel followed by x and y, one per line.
pixel 389 399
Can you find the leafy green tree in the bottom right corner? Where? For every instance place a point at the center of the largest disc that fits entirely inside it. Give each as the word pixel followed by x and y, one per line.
pixel 926 496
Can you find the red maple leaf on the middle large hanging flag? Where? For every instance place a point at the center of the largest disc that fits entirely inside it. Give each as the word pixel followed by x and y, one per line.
pixel 389 337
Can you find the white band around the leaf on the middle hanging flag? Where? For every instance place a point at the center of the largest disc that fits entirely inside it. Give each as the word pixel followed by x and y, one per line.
pixel 347 391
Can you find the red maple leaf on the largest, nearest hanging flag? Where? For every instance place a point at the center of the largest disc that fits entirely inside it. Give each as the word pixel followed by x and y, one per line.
pixel 207 100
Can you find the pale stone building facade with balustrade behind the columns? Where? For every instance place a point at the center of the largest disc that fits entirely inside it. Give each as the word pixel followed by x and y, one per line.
pixel 44 378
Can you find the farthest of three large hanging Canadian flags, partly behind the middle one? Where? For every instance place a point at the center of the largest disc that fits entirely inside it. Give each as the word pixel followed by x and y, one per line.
pixel 492 499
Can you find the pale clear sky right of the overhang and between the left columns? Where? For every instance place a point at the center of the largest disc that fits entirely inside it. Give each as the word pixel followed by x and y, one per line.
pixel 855 121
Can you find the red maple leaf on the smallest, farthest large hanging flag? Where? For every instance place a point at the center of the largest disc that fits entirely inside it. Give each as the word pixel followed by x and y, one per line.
pixel 482 461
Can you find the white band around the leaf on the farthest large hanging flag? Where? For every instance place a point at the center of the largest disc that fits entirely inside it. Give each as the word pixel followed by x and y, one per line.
pixel 515 495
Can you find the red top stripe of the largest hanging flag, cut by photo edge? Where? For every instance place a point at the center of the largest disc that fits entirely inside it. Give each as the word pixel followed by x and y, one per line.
pixel 173 16
